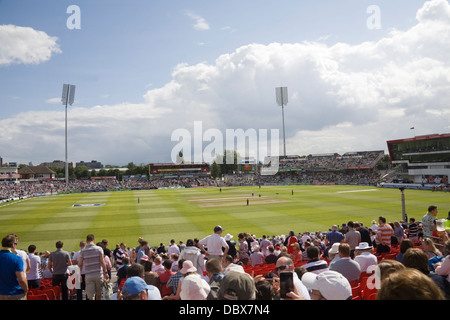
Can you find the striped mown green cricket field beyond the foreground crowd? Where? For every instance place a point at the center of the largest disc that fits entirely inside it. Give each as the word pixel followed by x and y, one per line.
pixel 181 214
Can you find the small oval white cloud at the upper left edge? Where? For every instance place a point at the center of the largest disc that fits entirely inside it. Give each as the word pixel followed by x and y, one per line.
pixel 25 45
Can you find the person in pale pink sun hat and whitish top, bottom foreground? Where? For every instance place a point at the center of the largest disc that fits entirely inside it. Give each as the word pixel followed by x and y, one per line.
pixel 193 287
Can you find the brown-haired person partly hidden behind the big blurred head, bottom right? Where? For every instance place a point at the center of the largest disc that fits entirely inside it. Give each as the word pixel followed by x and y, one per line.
pixel 417 259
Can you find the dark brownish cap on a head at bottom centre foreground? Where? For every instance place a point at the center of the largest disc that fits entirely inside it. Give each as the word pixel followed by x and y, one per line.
pixel 237 286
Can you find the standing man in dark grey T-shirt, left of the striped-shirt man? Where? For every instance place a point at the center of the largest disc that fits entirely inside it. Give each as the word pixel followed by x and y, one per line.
pixel 58 261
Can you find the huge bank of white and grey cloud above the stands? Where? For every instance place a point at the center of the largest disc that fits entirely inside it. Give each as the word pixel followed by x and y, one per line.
pixel 341 98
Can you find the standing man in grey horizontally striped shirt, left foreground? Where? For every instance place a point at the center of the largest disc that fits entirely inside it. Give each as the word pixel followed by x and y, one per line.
pixel 92 258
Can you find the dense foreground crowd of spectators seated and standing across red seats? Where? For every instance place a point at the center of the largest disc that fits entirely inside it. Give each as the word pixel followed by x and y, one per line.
pixel 412 258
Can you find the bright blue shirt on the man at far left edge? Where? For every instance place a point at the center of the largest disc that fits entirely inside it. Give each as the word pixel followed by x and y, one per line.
pixel 9 265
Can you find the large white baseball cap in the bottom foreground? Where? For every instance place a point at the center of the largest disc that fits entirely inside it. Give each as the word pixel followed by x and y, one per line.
pixel 331 284
